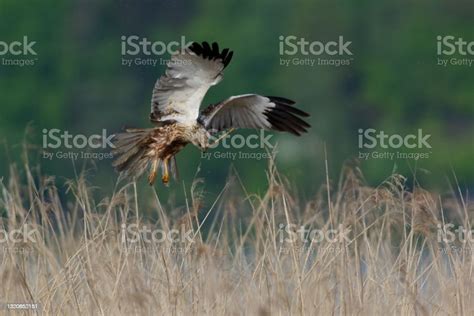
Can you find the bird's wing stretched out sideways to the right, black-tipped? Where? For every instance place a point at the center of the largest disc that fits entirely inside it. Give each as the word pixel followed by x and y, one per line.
pixel 255 111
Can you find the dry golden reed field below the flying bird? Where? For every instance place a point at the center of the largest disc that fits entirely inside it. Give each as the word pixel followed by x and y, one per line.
pixel 82 262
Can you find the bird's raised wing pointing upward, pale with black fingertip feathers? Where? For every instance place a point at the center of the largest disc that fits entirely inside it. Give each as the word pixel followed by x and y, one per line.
pixel 178 94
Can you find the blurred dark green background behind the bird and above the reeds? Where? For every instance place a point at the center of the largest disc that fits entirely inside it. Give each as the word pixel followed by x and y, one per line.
pixel 393 83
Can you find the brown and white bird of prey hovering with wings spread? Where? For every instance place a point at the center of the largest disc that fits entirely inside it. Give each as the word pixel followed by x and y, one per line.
pixel 175 104
